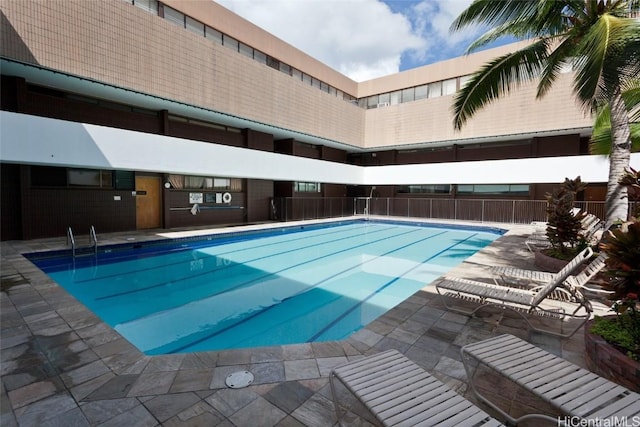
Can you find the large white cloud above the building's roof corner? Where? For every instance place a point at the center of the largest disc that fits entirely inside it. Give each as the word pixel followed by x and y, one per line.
pixel 362 39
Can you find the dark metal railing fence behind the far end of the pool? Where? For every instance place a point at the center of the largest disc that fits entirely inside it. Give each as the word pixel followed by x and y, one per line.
pixel 481 210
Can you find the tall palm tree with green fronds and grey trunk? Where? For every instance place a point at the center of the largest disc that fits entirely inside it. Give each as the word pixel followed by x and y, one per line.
pixel 596 37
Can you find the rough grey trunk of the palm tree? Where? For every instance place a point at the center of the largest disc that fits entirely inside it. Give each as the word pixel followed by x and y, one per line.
pixel 617 204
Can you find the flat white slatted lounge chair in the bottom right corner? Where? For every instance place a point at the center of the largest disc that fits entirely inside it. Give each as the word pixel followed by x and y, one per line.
pixel 573 391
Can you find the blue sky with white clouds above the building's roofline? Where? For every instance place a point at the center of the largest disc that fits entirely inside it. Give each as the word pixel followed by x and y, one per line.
pixel 363 39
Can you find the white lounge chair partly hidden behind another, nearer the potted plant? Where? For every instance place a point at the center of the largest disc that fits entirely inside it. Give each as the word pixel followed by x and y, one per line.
pixel 519 277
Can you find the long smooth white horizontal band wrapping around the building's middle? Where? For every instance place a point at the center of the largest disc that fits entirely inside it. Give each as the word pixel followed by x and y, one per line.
pixel 37 140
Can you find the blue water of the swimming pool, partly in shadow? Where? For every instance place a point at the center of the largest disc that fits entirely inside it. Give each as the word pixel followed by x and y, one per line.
pixel 284 286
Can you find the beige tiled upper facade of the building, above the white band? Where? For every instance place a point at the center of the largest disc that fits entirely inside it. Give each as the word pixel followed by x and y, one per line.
pixel 121 45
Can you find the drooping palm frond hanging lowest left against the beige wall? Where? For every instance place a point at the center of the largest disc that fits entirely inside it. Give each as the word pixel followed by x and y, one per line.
pixel 496 78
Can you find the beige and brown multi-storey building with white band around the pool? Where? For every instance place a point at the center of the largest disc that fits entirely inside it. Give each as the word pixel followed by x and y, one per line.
pixel 134 114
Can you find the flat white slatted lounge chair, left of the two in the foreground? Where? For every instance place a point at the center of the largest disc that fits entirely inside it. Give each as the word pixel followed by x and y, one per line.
pixel 398 392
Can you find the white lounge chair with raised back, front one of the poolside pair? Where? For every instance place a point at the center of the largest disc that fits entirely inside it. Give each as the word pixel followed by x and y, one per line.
pixel 524 302
